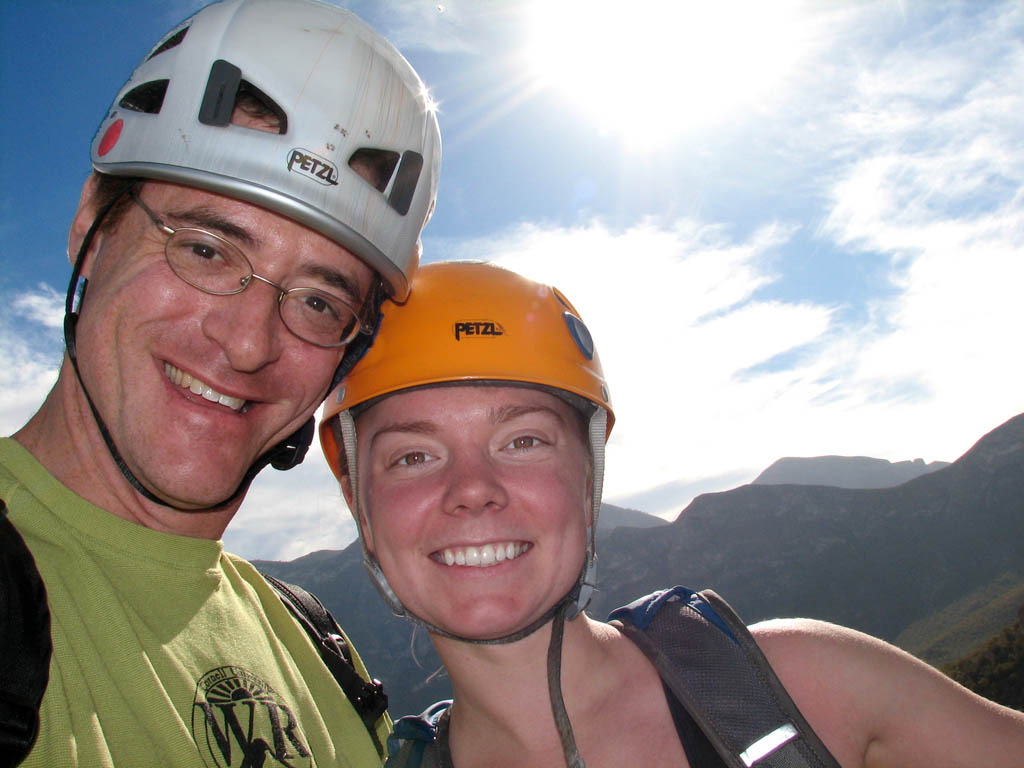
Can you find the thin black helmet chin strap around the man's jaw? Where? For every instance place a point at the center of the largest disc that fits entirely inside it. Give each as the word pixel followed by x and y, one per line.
pixel 285 455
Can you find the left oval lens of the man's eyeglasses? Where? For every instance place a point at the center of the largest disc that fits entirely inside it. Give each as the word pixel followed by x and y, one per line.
pixel 206 262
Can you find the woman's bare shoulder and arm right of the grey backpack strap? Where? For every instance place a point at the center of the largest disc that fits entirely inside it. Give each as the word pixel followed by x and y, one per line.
pixel 875 705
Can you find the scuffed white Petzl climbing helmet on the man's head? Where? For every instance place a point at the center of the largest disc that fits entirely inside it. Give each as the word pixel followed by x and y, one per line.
pixel 346 100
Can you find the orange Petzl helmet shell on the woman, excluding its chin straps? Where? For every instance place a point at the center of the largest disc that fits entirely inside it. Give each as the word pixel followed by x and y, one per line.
pixel 473 322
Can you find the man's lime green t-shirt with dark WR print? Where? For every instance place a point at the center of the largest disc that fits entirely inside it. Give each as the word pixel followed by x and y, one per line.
pixel 167 651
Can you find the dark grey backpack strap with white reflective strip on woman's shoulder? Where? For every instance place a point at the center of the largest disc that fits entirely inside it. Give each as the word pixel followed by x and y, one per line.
pixel 710 661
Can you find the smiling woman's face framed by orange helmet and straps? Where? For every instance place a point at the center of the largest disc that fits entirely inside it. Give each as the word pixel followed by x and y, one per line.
pixel 478 500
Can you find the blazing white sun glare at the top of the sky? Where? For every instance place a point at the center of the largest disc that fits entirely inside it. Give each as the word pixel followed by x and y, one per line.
pixel 653 70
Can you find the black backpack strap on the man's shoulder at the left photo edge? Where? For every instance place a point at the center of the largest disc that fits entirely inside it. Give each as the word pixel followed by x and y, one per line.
pixel 26 646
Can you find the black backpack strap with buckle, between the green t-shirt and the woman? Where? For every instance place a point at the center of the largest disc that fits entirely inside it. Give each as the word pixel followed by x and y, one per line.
pixel 368 698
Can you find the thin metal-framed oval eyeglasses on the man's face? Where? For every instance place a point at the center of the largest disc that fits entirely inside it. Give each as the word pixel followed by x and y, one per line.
pixel 218 267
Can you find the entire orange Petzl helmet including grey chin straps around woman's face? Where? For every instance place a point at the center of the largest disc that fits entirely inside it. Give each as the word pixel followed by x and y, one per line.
pixel 464 323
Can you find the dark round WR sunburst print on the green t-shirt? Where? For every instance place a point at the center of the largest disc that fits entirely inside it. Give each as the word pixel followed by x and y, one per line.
pixel 240 722
